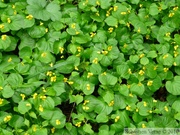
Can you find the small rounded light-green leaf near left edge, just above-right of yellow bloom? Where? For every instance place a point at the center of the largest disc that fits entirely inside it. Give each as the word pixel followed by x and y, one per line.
pixel 7 91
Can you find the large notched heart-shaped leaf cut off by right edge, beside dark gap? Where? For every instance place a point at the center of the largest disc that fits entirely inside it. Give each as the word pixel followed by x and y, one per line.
pixel 173 87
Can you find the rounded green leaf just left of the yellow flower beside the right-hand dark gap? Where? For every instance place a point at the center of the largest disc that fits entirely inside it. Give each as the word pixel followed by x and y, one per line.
pixel 137 89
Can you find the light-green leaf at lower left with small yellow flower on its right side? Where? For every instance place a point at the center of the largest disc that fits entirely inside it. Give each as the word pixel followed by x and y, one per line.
pixel 24 107
